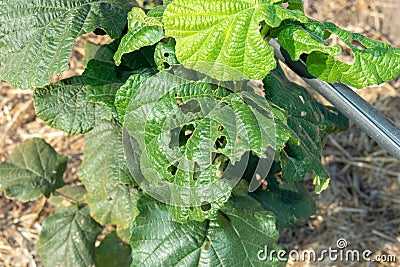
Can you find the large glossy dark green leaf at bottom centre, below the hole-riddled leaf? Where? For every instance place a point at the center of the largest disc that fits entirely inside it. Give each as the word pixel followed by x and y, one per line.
pixel 233 238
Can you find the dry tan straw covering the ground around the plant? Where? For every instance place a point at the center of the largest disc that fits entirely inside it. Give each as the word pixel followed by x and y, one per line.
pixel 362 204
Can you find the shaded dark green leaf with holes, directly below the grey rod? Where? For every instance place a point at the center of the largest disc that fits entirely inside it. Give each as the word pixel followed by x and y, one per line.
pixel 310 122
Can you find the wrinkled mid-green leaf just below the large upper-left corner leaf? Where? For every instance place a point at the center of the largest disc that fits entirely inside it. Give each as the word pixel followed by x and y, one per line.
pixel 64 105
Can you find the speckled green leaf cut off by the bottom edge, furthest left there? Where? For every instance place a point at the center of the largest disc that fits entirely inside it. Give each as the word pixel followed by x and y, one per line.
pixel 68 237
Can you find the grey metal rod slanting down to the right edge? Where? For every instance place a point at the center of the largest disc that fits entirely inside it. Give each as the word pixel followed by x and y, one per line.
pixel 365 116
